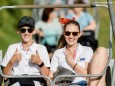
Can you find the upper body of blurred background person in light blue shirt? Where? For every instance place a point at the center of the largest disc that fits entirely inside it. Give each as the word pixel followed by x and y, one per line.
pixel 85 19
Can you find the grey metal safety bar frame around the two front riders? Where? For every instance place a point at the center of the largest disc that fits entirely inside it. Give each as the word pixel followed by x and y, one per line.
pixel 61 6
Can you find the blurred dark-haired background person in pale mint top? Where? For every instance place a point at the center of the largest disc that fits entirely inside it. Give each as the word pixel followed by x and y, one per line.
pixel 49 28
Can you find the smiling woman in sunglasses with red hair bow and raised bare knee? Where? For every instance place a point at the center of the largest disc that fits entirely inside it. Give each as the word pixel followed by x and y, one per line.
pixel 75 57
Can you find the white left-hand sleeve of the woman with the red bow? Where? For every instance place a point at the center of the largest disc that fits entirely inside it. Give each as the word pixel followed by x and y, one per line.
pixel 54 63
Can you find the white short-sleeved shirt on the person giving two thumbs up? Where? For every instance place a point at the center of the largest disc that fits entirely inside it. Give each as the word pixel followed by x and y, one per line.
pixel 25 66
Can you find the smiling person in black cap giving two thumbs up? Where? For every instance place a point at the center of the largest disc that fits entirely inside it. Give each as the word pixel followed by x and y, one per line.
pixel 26 57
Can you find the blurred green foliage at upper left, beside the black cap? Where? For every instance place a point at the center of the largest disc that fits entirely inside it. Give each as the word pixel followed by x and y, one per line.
pixel 8 21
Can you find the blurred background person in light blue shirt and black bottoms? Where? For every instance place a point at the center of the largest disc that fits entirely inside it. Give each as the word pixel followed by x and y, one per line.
pixel 87 25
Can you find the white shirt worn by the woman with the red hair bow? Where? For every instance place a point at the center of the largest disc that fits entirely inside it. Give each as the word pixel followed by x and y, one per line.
pixel 84 54
